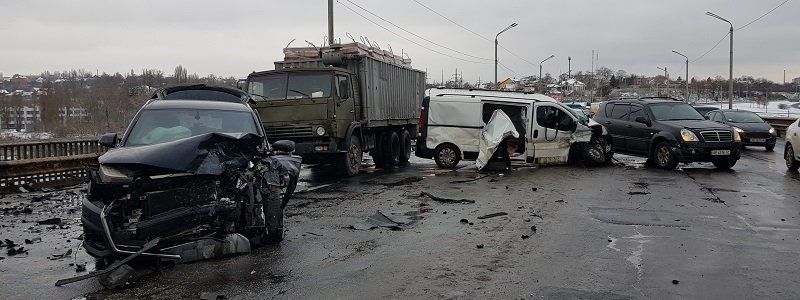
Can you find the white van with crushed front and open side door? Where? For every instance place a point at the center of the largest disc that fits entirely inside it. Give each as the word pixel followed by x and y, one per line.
pixel 451 121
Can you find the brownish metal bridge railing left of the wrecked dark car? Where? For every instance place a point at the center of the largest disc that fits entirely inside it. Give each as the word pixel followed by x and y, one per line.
pixel 46 163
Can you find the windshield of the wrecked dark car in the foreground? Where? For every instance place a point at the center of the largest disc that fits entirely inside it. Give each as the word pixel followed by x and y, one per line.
pixel 157 126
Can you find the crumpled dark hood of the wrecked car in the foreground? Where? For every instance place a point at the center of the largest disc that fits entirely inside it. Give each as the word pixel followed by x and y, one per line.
pixel 190 155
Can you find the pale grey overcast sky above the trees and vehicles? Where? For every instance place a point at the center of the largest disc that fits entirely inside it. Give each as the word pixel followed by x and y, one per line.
pixel 233 38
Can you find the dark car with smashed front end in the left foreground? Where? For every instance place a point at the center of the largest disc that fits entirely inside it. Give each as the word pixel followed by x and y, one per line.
pixel 194 173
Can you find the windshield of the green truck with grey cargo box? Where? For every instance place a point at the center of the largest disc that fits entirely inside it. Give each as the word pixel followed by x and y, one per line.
pixel 293 85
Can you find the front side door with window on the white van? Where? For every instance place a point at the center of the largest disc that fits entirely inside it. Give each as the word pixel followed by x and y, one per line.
pixel 552 133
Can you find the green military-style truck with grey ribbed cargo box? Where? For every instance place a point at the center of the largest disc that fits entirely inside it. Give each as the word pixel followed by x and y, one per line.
pixel 338 102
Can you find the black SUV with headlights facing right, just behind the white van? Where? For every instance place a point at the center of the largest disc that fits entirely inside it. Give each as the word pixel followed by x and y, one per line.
pixel 667 132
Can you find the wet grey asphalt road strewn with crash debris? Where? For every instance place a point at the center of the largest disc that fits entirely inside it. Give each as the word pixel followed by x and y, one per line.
pixel 618 232
